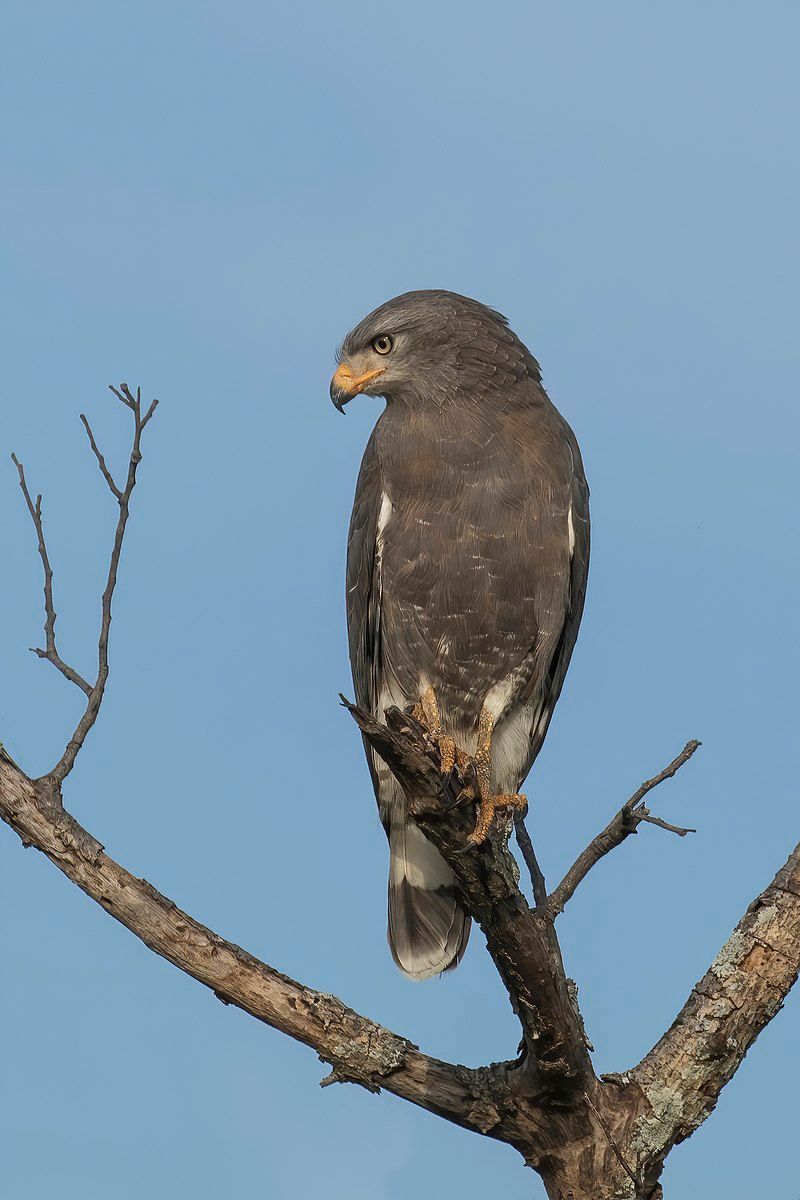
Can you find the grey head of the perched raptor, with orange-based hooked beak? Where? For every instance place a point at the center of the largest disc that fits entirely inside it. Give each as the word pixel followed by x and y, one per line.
pixel 419 345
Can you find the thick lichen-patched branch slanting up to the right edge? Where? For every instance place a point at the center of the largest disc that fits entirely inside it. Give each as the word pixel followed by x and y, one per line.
pixel 743 991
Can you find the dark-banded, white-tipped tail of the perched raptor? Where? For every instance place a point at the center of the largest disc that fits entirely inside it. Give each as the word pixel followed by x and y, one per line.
pixel 428 928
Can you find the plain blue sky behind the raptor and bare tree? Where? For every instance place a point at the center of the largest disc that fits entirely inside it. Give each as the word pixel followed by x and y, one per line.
pixel 202 200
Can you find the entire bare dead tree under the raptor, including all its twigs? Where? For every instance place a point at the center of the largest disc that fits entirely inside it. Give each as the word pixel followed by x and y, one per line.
pixel 591 1139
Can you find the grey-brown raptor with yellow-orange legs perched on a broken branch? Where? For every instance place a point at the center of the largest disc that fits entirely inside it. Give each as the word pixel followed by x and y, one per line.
pixel 466 577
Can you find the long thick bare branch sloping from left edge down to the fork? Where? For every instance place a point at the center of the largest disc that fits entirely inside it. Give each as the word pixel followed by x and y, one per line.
pixel 358 1049
